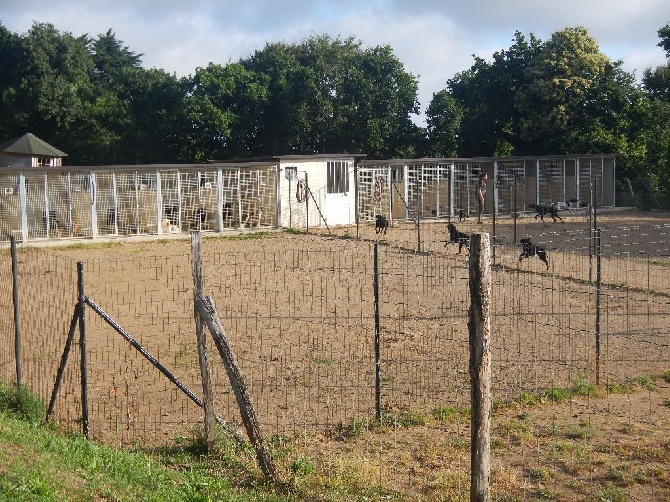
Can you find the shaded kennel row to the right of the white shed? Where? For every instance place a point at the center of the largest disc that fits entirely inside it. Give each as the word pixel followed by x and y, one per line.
pixel 434 188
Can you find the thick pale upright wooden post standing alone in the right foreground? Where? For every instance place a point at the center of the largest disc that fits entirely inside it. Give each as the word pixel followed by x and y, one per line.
pixel 479 330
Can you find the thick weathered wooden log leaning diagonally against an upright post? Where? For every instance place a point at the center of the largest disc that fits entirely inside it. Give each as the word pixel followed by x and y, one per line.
pixel 206 308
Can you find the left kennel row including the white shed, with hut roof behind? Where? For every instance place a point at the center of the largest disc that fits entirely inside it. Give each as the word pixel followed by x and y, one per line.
pixel 41 199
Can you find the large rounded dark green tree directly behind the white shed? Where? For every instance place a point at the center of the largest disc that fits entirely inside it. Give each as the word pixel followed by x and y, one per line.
pixel 331 95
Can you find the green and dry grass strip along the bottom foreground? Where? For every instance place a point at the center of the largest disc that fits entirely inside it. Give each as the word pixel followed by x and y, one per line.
pixel 426 452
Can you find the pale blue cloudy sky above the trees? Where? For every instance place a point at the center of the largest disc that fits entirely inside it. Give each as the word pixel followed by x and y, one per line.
pixel 434 39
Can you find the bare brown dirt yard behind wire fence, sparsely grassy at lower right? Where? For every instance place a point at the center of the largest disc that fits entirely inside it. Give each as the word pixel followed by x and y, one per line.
pixel 298 310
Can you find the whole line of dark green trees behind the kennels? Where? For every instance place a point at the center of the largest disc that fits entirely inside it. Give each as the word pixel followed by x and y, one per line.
pixel 91 97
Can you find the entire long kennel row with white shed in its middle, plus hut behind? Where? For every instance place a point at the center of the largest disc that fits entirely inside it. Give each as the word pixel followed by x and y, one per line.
pixel 41 199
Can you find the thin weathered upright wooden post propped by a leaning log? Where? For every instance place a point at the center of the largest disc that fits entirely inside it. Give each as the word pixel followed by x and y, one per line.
pixel 196 263
